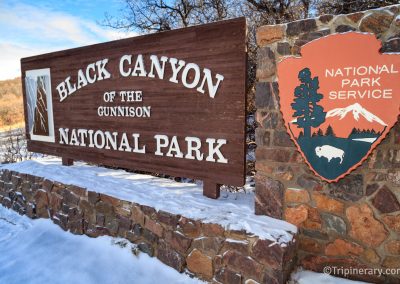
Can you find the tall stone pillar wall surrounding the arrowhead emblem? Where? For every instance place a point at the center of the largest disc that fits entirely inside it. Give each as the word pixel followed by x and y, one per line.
pixel 356 221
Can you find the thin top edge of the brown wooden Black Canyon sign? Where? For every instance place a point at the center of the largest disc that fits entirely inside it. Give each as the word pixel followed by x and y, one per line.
pixel 71 50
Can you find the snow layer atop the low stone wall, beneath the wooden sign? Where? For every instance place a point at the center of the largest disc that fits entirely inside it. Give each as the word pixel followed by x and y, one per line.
pixel 233 210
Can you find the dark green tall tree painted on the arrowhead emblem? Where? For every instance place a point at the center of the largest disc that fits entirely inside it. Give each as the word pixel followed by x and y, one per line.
pixel 307 112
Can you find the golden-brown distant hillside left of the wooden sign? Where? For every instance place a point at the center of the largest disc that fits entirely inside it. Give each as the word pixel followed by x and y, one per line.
pixel 11 105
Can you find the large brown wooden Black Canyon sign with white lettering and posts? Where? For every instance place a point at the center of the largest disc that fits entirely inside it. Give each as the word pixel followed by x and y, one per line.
pixel 171 103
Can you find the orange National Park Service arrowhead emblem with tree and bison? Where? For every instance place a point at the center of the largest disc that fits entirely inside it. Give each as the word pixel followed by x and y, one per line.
pixel 339 100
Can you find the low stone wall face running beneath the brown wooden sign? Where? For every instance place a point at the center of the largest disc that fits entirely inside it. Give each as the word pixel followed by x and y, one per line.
pixel 207 251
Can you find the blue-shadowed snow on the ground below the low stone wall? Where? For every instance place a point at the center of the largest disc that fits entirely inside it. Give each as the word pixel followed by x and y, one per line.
pixel 37 252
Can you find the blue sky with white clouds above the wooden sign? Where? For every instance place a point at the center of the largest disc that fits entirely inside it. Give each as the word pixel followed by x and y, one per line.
pixel 35 27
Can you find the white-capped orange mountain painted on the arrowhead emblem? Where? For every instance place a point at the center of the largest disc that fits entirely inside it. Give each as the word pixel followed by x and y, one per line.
pixel 344 120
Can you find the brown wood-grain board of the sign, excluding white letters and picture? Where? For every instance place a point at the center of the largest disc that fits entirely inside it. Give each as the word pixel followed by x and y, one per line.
pixel 175 110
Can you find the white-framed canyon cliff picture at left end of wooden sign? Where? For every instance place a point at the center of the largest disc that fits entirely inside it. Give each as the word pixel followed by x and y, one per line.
pixel 39 106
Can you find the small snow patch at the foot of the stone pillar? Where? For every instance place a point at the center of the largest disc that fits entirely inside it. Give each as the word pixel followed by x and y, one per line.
pixel 310 277
